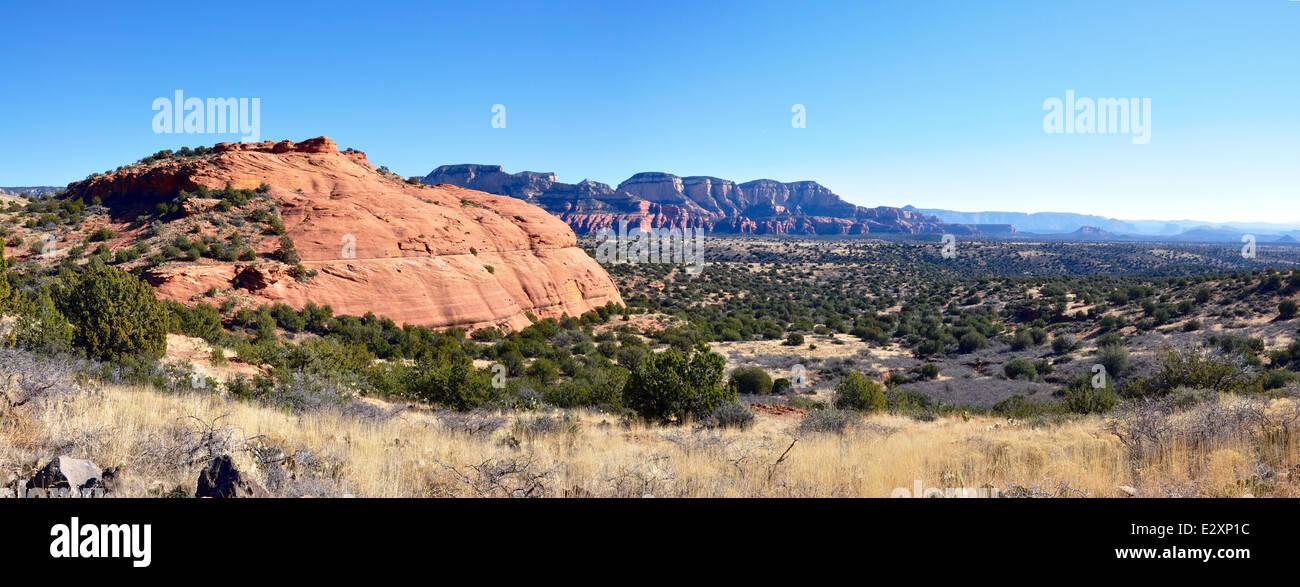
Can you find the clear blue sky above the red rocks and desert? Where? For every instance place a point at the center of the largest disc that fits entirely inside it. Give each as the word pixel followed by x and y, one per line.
pixel 937 105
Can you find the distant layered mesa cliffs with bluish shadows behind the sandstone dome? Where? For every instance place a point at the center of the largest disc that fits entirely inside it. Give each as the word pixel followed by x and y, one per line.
pixel 718 206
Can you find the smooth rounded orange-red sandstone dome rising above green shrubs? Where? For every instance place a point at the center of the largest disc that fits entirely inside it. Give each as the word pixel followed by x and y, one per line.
pixel 423 255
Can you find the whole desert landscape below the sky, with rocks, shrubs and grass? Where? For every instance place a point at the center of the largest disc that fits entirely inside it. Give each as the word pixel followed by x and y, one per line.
pixel 288 319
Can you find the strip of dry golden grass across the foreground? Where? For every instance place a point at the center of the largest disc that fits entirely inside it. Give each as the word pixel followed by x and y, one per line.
pixel 415 454
